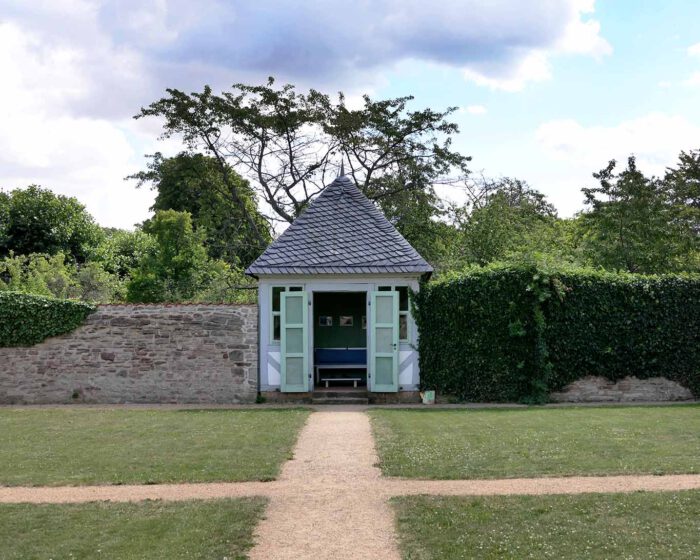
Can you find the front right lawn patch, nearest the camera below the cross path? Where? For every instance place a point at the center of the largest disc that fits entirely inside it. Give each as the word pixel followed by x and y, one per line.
pixel 644 525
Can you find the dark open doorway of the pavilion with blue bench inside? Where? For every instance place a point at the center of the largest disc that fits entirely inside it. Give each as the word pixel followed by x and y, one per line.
pixel 340 341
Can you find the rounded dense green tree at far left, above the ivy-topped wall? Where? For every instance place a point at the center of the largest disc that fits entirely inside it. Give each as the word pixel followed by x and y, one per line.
pixel 39 221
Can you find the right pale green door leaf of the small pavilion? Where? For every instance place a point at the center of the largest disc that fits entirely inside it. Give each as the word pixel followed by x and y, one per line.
pixel 384 342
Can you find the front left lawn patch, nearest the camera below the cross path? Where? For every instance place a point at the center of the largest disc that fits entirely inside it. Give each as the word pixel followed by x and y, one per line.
pixel 146 530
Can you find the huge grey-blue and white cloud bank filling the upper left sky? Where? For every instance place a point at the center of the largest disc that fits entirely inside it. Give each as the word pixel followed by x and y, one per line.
pixel 75 71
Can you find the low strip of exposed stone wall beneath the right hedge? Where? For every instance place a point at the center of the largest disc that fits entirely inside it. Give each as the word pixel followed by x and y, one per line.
pixel 629 389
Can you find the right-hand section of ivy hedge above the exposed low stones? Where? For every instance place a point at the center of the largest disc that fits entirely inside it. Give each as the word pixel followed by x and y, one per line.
pixel 618 325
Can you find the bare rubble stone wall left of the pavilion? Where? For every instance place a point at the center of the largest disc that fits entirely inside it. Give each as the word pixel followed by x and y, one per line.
pixel 141 354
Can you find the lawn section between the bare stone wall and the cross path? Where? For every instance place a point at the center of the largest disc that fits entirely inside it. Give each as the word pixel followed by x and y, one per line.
pixel 75 446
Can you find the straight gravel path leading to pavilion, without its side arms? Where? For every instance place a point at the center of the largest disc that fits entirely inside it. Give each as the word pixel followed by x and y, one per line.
pixel 326 510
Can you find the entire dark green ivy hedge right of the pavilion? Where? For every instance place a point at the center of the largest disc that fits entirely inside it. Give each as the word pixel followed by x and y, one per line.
pixel 515 333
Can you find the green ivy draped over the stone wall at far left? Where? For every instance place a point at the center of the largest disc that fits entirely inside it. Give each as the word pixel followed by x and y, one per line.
pixel 26 319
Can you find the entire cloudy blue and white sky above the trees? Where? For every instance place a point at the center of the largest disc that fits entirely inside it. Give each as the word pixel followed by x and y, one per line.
pixel 548 90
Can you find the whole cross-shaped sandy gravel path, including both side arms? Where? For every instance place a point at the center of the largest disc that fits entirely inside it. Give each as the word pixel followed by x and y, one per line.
pixel 331 497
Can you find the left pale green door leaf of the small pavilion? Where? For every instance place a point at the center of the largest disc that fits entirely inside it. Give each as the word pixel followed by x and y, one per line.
pixel 294 342
